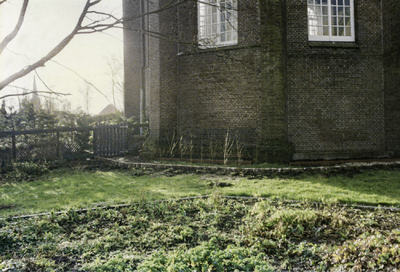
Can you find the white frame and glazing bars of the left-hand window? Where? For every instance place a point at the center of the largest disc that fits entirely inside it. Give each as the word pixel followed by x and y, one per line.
pixel 218 42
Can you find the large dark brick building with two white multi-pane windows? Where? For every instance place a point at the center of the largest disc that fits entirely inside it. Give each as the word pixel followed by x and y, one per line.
pixel 322 75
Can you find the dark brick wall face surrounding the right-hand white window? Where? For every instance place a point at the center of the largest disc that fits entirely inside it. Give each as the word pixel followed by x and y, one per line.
pixel 336 98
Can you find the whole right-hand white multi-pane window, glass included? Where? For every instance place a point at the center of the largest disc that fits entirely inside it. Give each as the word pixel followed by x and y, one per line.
pixel 331 20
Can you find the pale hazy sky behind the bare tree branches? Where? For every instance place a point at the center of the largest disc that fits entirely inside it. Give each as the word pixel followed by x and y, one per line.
pixel 47 22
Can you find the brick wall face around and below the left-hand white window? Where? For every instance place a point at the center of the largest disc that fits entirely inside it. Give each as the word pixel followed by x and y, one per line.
pixel 219 89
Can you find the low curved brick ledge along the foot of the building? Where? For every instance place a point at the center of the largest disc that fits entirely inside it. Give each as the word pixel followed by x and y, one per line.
pixel 252 171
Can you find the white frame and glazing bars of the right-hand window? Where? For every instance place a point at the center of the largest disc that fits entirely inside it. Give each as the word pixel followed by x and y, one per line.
pixel 330 37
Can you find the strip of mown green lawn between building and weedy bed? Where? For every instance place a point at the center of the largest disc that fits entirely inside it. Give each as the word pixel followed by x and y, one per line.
pixel 65 188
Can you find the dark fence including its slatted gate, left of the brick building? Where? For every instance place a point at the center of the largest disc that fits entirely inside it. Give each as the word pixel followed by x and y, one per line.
pixel 63 143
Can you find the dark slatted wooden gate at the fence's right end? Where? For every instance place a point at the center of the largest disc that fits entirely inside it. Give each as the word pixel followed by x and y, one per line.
pixel 110 140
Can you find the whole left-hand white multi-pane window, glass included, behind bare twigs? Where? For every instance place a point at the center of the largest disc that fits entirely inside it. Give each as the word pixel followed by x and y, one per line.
pixel 217 21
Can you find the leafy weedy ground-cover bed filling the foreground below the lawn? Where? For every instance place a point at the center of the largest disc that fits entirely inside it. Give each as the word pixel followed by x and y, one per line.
pixel 214 234
